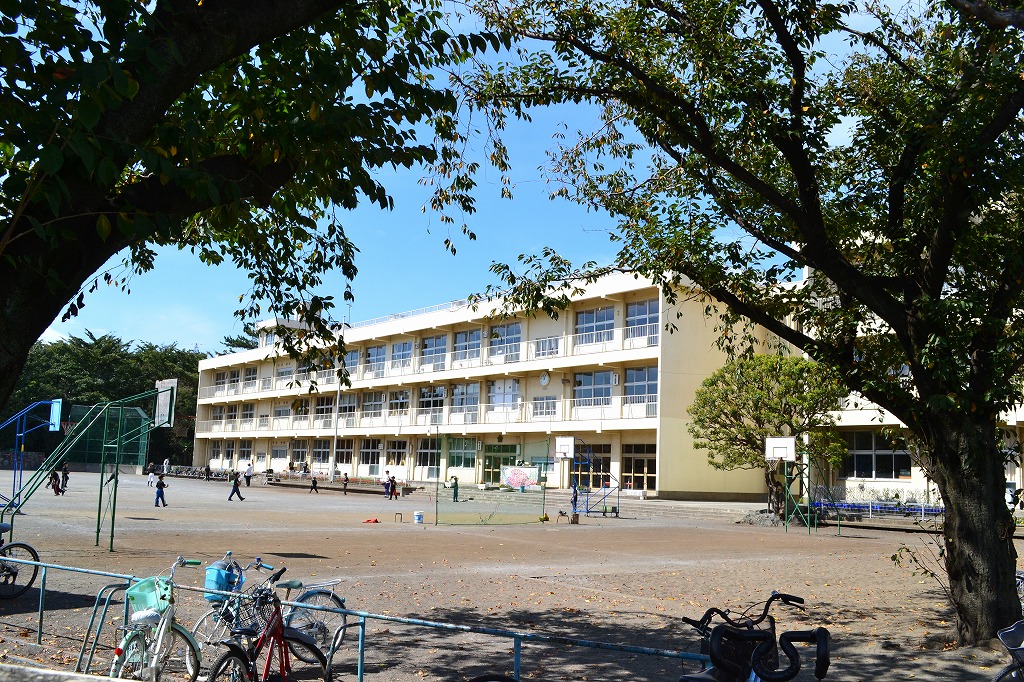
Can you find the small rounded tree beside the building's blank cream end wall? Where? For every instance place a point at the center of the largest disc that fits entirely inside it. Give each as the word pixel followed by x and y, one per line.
pixel 754 398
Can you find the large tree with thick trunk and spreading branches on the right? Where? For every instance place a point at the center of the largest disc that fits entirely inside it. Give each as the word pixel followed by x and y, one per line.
pixel 742 146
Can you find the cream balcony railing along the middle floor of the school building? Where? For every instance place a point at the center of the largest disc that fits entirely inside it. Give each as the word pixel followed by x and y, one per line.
pixel 603 409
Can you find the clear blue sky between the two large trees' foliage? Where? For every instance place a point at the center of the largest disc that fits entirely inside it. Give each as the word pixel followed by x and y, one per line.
pixel 402 262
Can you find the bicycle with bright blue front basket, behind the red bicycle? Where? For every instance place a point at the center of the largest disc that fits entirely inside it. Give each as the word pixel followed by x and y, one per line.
pixel 216 625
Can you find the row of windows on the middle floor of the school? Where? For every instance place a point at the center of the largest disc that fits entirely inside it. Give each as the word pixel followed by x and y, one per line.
pixel 590 389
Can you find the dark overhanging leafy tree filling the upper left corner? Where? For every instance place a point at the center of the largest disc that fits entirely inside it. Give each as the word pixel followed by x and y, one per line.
pixel 235 130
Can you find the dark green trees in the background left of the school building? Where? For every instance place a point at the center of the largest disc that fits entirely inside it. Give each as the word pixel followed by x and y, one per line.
pixel 102 369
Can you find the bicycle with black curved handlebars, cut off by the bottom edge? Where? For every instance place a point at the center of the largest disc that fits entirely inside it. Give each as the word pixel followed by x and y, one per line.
pixel 736 657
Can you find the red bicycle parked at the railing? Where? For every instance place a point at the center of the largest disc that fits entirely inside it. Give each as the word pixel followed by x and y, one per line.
pixel 254 661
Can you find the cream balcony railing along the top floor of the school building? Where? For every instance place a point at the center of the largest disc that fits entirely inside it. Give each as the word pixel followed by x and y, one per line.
pixel 620 338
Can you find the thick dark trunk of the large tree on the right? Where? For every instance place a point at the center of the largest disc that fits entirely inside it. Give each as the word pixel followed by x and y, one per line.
pixel 980 558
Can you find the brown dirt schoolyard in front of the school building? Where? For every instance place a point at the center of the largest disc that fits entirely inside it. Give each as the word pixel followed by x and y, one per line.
pixel 624 581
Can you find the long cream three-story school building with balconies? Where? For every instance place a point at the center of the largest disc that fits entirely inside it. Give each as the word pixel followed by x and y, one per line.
pixel 451 391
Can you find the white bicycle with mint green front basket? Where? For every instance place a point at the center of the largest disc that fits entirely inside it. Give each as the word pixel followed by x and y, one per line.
pixel 156 646
